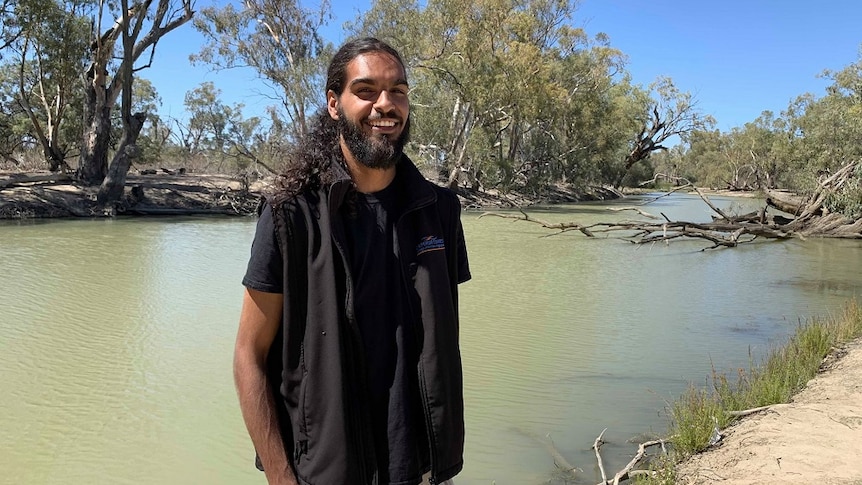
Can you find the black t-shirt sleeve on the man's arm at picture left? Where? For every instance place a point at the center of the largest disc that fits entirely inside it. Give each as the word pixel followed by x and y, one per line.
pixel 264 272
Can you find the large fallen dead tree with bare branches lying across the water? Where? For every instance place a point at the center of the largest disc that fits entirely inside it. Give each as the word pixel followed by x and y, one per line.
pixel 810 219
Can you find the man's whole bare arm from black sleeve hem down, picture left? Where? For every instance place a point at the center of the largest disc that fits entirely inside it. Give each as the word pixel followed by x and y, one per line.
pixel 258 324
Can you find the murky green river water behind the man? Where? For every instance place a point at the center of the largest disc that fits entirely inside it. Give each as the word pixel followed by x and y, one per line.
pixel 116 341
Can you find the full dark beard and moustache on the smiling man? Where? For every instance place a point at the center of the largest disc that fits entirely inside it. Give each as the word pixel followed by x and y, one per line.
pixel 372 151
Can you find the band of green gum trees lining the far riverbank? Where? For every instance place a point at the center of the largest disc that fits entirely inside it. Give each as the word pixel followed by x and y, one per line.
pixel 508 95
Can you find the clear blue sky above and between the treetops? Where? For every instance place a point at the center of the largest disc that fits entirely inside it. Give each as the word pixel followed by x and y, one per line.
pixel 738 57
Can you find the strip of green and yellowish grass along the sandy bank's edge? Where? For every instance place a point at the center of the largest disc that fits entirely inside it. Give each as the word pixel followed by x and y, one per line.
pixel 781 374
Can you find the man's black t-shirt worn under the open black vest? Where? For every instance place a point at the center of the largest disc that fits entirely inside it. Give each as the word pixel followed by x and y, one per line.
pixel 385 323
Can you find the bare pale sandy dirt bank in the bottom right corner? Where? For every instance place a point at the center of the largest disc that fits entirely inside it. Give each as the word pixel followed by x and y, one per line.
pixel 815 439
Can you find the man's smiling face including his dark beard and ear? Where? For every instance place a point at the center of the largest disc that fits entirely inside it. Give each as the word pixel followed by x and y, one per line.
pixel 373 111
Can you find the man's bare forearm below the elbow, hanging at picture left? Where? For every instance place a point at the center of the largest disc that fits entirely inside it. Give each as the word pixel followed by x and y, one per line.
pixel 258 410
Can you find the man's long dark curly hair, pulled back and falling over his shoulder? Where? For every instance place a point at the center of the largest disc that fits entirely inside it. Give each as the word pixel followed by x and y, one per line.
pixel 309 163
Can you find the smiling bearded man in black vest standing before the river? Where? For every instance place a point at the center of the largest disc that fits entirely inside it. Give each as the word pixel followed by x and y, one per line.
pixel 347 362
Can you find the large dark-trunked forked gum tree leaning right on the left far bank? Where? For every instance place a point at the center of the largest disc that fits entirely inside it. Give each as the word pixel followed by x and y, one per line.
pixel 111 71
